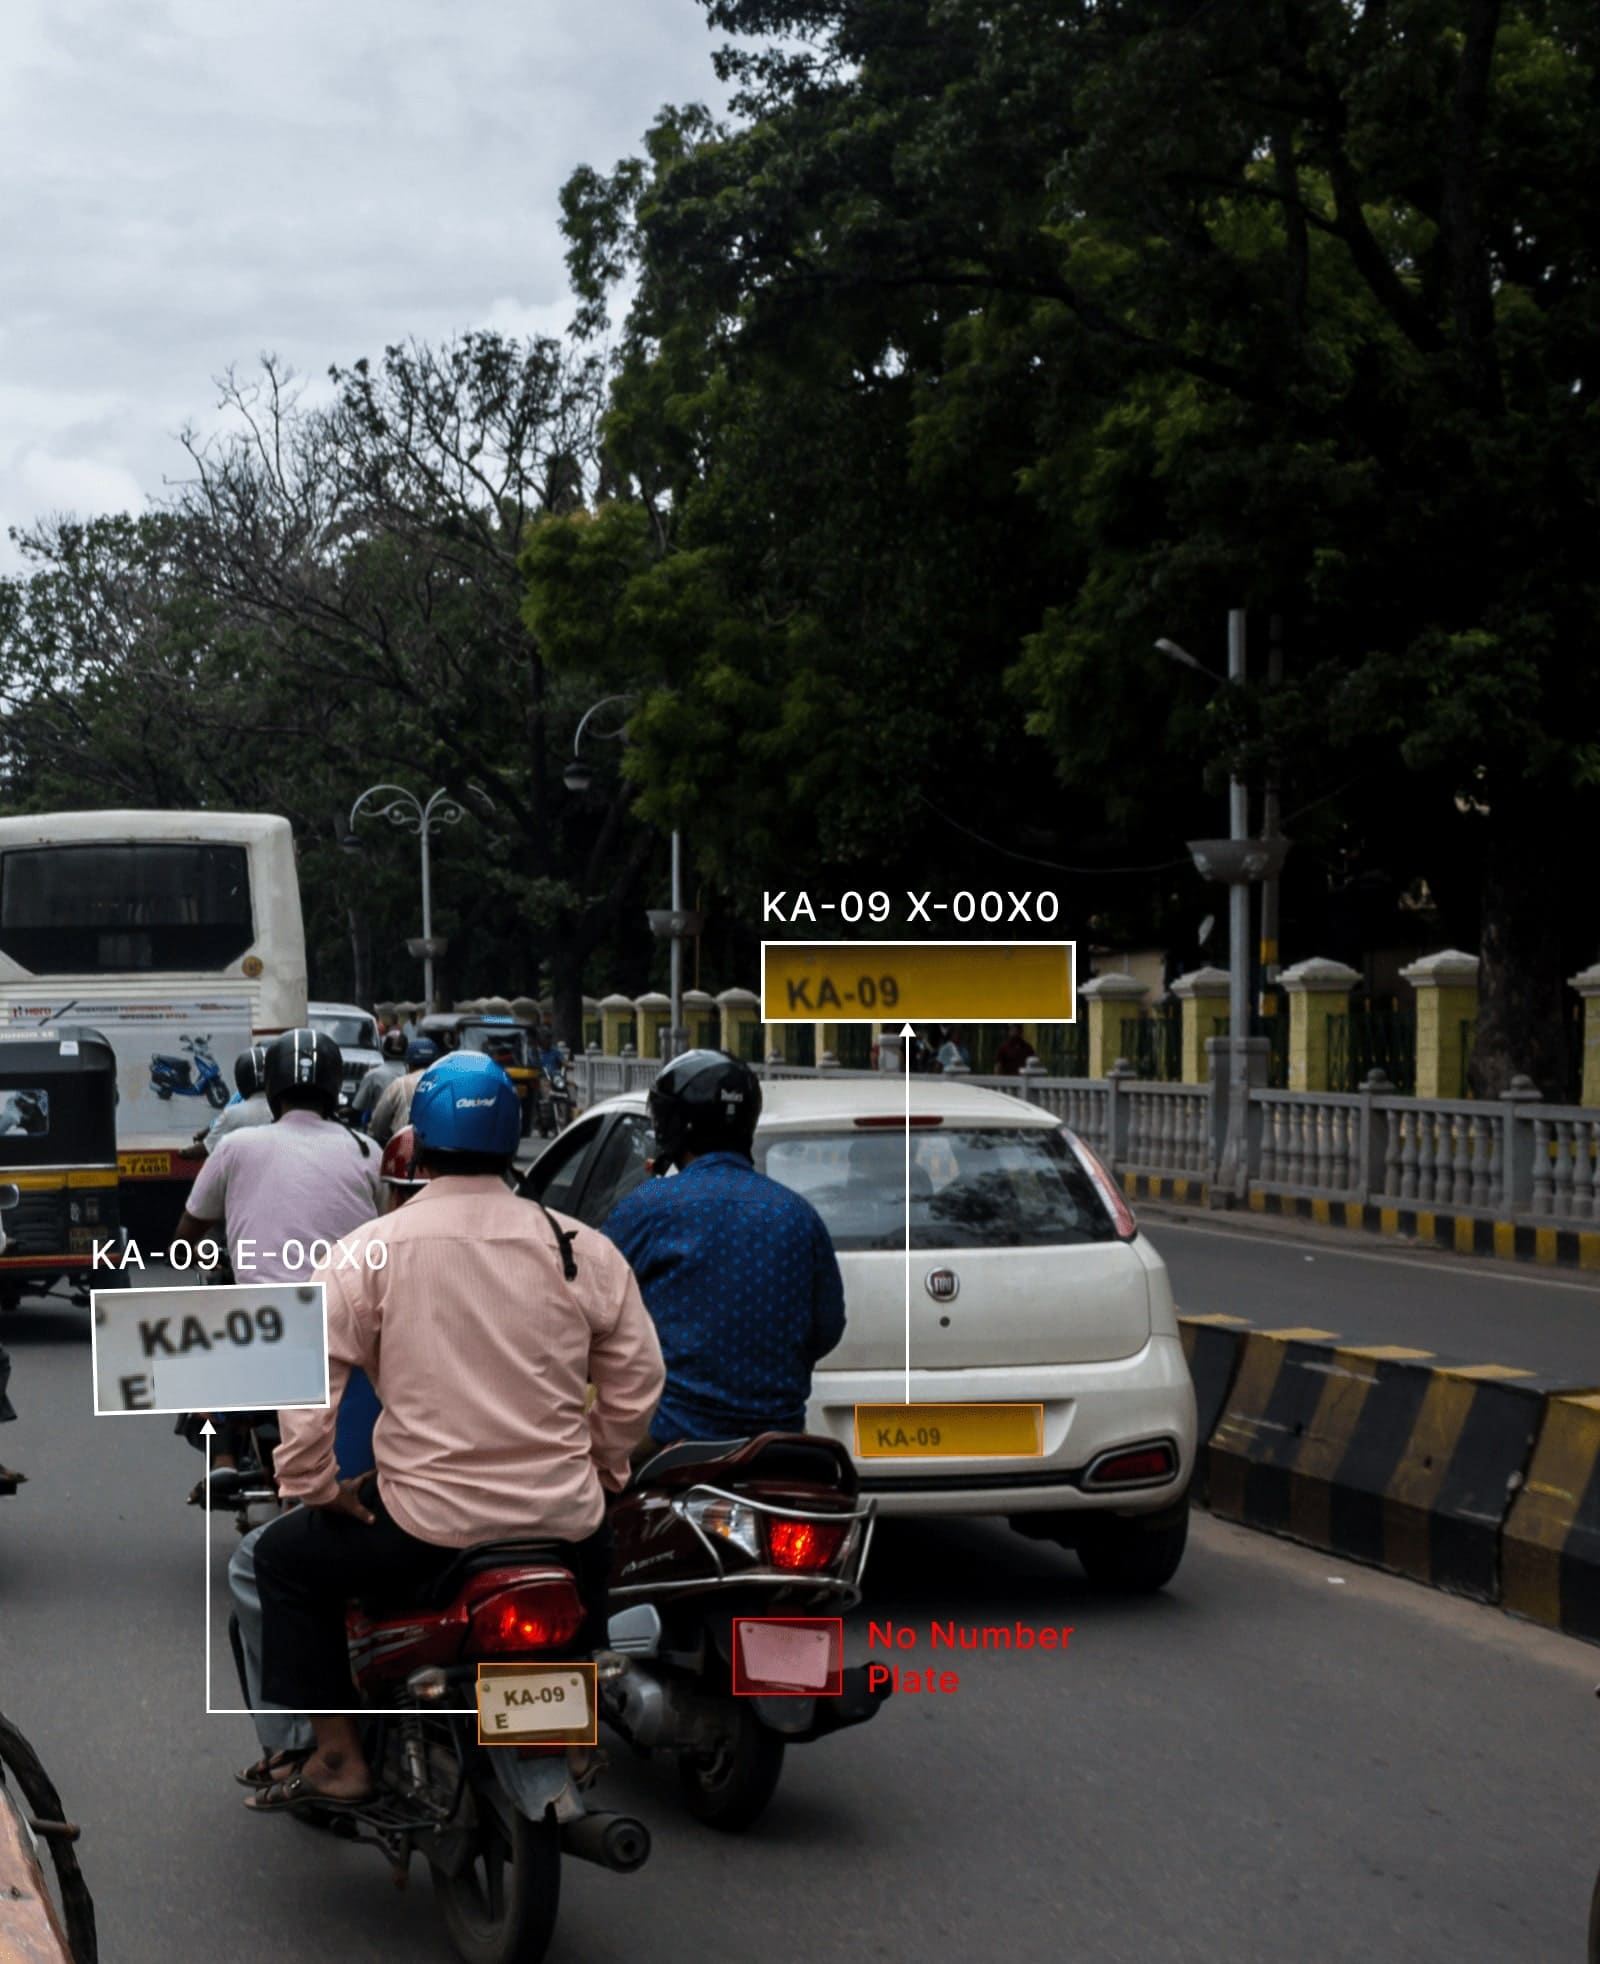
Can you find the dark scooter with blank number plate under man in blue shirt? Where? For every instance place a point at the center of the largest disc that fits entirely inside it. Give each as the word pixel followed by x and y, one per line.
pixel 710 1541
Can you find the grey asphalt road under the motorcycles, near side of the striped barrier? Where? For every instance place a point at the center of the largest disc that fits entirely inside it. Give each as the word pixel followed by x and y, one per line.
pixel 1279 1759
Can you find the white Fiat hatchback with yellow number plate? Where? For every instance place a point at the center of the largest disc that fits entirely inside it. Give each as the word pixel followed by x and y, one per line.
pixel 1030 1287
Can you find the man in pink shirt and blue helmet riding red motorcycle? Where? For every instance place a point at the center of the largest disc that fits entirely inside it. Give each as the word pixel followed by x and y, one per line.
pixel 482 1329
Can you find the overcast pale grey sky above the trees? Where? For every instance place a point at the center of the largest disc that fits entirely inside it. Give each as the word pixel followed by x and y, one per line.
pixel 191 184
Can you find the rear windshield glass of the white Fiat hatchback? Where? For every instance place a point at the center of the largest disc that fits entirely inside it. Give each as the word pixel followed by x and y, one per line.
pixel 990 1187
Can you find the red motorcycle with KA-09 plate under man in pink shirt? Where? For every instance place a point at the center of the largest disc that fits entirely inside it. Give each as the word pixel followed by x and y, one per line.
pixel 490 1822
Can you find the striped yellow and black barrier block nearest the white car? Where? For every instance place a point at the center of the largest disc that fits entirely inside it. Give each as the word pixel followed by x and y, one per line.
pixel 1377 1454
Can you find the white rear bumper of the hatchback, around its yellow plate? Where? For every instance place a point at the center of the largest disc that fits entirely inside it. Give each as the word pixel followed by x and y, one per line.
pixel 1091 1409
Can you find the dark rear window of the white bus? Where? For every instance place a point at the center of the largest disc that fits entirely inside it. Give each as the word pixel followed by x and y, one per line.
pixel 113 908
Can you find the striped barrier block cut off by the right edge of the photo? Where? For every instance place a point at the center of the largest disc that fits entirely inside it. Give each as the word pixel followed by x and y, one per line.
pixel 1552 1543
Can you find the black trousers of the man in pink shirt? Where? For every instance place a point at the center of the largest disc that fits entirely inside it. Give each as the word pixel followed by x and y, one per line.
pixel 313 1562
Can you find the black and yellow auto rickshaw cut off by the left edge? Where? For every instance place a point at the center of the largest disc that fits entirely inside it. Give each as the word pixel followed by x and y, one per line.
pixel 58 1148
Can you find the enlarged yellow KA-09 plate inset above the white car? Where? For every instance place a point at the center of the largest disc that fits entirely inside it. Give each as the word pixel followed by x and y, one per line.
pixel 892 981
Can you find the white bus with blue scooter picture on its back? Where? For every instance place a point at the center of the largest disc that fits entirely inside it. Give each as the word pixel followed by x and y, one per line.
pixel 178 936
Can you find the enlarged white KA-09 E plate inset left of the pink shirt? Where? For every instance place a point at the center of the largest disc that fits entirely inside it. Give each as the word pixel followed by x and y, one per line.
pixel 209 1350
